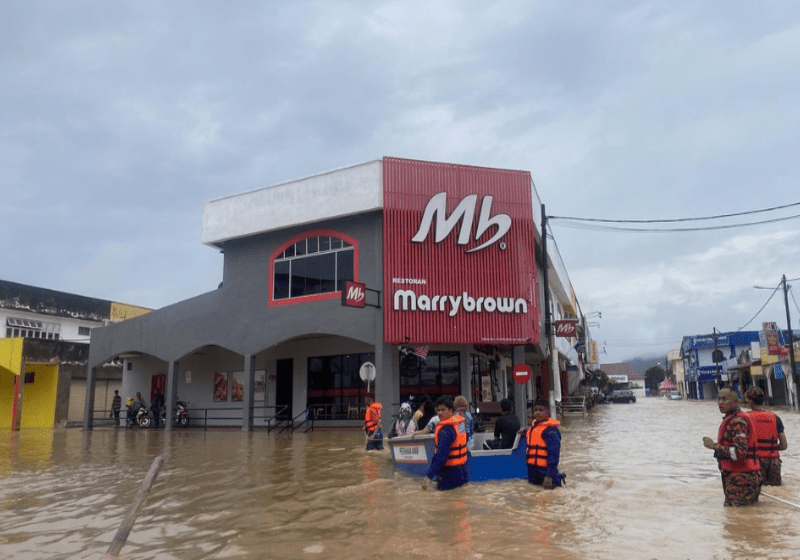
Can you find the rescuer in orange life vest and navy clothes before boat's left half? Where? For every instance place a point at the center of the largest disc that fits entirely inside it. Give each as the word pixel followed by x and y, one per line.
pixel 449 463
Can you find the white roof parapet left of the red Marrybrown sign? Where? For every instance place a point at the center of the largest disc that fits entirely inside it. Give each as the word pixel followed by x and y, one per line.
pixel 342 192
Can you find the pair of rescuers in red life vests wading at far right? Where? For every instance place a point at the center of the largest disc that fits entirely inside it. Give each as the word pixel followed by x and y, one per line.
pixel 748 447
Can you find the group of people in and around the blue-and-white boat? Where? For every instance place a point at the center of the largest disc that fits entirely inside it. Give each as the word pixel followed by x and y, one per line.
pixel 452 424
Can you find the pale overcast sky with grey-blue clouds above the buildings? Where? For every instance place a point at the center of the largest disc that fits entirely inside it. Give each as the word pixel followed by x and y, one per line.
pixel 119 120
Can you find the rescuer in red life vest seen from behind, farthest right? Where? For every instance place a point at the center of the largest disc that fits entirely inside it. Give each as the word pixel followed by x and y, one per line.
pixel 769 435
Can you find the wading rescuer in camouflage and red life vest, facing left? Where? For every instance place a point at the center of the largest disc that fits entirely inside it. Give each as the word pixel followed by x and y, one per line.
pixel 735 449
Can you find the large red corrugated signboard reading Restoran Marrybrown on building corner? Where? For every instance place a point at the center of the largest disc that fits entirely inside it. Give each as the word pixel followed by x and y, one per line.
pixel 459 255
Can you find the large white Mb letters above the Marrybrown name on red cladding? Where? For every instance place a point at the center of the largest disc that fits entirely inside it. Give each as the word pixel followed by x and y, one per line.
pixel 465 213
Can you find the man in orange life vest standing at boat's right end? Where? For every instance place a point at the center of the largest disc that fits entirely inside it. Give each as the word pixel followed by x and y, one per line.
pixel 543 443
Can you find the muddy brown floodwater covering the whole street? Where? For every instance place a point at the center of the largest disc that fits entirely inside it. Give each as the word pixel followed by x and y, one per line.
pixel 640 485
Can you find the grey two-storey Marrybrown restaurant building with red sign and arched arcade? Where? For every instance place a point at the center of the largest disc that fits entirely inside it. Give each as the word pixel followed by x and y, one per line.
pixel 427 270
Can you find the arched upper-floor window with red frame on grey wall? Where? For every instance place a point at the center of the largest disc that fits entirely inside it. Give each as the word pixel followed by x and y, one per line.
pixel 313 266
